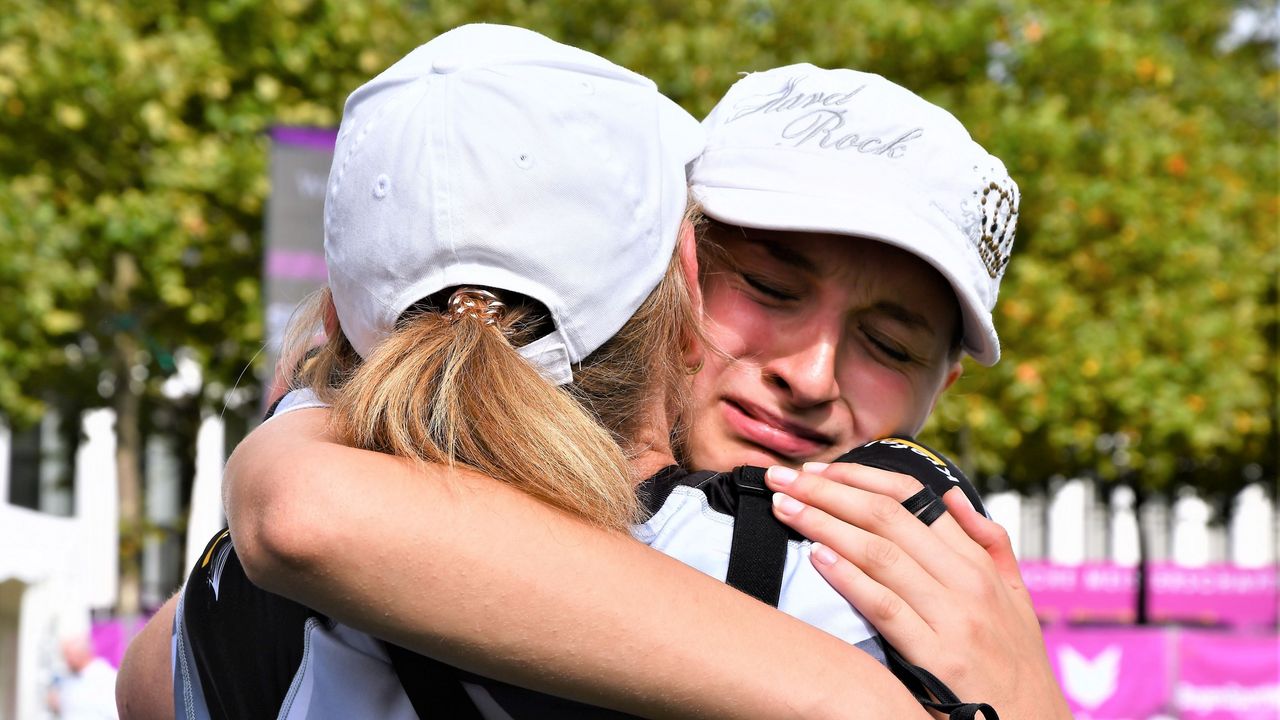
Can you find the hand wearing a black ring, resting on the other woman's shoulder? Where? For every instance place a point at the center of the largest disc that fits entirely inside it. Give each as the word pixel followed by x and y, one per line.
pixel 948 596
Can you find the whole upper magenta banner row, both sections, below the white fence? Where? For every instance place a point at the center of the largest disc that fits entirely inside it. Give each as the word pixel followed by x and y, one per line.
pixel 1219 595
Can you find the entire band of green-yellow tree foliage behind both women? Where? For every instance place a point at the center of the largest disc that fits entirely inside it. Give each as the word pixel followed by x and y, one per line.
pixel 1141 302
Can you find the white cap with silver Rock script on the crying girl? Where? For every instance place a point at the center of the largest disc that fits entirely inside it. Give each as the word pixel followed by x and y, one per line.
pixel 848 153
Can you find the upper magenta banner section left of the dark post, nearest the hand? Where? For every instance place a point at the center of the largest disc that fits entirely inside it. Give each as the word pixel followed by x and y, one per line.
pixel 1094 593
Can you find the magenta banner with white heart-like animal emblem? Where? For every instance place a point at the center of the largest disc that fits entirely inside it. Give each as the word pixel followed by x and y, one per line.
pixel 1113 675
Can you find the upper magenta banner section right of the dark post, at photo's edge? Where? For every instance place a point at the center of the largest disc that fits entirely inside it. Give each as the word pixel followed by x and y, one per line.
pixel 1214 595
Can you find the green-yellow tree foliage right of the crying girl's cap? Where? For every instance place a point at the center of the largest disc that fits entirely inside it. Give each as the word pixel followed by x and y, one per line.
pixel 1141 303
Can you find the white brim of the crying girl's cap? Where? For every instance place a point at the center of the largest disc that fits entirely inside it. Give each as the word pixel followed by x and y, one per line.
pixel 876 217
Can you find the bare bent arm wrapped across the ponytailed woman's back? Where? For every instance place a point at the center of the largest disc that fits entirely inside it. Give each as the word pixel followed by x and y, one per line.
pixel 481 576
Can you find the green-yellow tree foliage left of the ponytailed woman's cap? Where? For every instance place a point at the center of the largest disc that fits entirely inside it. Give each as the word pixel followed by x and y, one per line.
pixel 132 142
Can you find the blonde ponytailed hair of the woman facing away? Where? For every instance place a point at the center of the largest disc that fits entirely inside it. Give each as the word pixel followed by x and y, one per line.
pixel 455 391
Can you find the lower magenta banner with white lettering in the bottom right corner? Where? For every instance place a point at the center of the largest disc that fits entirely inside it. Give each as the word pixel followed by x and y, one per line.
pixel 1228 677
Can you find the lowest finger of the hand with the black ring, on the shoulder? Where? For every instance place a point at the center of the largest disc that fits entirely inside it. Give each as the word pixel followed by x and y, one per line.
pixel 881 607
